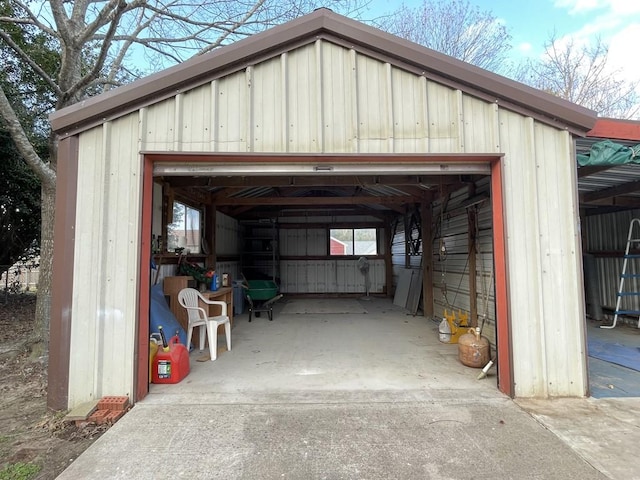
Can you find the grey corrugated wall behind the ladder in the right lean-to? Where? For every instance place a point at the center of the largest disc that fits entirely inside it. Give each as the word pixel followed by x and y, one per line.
pixel 606 238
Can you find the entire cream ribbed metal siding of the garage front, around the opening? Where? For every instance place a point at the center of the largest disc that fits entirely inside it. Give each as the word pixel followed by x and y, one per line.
pixel 335 101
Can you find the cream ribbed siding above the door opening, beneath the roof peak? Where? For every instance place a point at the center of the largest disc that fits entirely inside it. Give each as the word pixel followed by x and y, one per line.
pixel 321 98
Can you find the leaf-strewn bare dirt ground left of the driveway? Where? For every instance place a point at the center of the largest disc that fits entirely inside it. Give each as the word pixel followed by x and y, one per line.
pixel 29 433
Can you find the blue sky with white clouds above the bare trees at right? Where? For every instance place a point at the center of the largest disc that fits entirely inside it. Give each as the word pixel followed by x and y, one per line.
pixel 530 23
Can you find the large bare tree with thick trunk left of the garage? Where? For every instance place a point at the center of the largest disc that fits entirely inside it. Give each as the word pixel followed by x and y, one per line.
pixel 98 41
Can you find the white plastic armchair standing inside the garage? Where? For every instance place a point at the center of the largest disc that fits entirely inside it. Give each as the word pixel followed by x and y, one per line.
pixel 188 298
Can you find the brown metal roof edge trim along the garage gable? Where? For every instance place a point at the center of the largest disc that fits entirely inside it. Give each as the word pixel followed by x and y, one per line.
pixel 323 24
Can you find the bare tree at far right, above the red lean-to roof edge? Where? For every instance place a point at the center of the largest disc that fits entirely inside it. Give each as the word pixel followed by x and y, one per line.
pixel 581 74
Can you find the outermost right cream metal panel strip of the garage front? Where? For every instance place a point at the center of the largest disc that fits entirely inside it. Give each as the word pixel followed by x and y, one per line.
pixel 561 261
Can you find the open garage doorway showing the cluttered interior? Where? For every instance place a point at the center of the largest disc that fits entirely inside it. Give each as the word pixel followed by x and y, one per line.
pixel 370 258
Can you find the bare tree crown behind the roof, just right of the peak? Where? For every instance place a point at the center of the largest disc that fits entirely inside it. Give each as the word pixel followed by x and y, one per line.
pixel 455 28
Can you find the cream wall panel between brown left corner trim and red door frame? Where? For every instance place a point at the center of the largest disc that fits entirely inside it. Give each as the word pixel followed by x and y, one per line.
pixel 106 262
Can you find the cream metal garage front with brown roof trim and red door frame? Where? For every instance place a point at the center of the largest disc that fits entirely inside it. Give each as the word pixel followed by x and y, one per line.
pixel 321 95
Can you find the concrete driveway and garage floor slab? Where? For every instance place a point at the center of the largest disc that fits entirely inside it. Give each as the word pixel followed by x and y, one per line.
pixel 357 396
